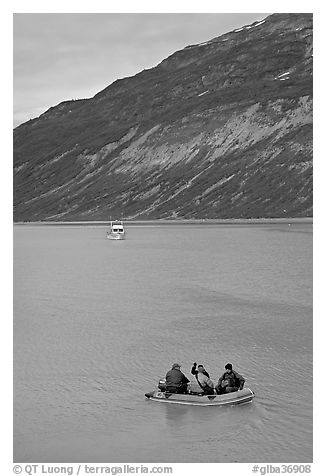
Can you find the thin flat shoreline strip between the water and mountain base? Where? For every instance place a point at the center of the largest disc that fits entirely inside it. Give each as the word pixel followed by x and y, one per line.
pixel 213 221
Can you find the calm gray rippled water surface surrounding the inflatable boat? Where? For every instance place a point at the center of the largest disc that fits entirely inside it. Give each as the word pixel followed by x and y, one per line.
pixel 98 322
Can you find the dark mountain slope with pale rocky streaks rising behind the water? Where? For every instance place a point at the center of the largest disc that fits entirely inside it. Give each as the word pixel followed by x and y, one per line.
pixel 222 129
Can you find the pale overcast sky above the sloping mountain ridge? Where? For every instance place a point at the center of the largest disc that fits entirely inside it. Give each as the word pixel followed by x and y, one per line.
pixel 62 56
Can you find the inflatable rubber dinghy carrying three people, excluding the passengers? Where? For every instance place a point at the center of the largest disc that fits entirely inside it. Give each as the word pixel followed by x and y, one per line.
pixel 195 398
